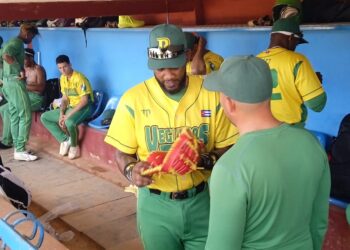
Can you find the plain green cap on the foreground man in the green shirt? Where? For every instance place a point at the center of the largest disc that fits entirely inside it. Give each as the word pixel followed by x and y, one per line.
pixel 245 79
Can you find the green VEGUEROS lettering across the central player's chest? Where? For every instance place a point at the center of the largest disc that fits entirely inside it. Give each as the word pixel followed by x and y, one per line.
pixel 161 139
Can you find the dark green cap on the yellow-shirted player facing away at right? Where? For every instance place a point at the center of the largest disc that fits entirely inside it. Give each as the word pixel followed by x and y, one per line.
pixel 288 26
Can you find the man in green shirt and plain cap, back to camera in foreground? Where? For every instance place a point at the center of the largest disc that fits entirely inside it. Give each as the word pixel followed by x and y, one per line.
pixel 271 190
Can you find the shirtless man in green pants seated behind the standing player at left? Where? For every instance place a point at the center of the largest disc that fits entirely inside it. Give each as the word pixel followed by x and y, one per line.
pixel 35 84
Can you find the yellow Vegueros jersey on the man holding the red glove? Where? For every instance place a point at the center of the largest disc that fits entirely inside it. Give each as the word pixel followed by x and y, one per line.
pixel 148 120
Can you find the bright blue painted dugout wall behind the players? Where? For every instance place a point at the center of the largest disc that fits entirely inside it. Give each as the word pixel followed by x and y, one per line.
pixel 114 59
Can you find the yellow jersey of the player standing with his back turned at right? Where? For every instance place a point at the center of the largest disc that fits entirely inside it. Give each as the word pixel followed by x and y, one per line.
pixel 294 82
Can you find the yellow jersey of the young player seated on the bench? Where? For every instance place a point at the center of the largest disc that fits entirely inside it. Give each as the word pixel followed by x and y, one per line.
pixel 75 88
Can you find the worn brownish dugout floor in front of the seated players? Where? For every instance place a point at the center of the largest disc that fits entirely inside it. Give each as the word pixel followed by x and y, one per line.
pixel 84 195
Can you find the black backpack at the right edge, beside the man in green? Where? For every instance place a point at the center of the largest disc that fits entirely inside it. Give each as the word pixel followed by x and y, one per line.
pixel 340 162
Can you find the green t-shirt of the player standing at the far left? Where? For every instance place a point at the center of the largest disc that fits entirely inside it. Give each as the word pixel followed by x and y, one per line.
pixel 14 48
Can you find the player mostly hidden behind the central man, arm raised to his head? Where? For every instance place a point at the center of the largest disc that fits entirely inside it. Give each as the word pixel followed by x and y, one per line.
pixel 201 60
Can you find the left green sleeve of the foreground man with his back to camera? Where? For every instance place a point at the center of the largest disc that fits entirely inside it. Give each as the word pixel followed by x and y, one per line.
pixel 228 205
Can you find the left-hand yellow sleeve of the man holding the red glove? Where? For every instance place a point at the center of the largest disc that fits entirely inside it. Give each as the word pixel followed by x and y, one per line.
pixel 121 133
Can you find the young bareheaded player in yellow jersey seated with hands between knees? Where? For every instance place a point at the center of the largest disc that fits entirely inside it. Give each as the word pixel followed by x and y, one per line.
pixel 76 107
